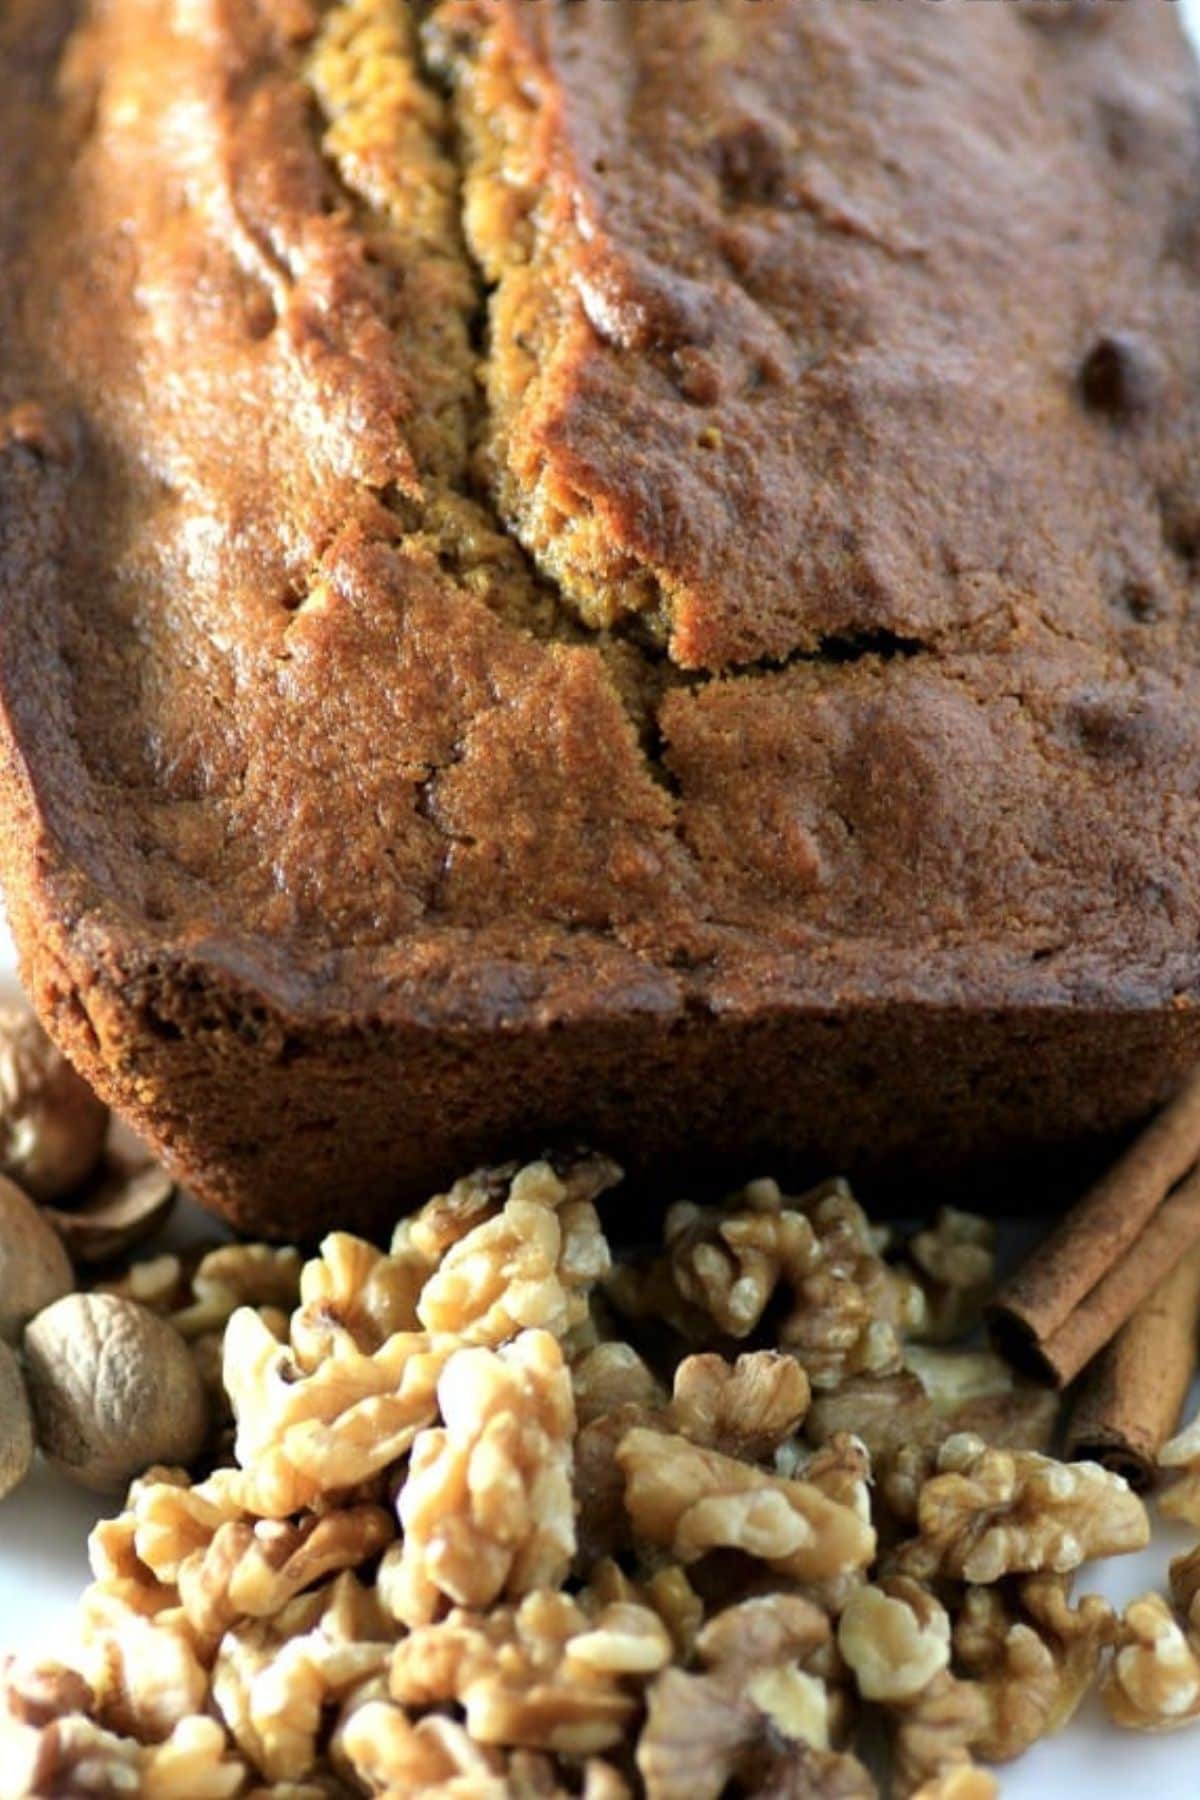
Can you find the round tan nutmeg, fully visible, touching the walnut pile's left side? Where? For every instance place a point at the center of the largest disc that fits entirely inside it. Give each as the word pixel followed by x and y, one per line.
pixel 114 1389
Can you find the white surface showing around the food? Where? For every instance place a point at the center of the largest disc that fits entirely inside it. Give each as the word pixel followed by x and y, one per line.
pixel 44 1567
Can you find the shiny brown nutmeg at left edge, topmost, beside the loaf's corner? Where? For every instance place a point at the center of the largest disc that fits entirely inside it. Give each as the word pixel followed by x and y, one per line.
pixel 53 1128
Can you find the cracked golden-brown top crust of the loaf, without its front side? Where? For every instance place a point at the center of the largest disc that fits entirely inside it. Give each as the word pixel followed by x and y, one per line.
pixel 764 330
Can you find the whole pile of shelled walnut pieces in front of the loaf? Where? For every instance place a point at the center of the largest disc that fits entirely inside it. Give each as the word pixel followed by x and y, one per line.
pixel 490 1515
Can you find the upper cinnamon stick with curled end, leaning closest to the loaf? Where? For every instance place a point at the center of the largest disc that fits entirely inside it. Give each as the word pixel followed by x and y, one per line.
pixel 1077 1291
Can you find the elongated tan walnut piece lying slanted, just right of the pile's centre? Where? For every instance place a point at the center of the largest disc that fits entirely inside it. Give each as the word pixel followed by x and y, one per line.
pixel 692 1500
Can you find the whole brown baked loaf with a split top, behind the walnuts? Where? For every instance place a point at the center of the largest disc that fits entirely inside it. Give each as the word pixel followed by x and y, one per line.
pixel 600 570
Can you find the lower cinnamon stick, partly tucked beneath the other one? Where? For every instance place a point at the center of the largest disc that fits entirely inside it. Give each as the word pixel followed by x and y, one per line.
pixel 1133 1398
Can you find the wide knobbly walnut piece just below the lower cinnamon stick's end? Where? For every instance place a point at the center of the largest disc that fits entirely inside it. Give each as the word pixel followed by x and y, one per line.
pixel 994 1513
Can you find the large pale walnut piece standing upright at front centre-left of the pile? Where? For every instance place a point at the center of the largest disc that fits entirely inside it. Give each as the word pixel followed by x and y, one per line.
pixel 487 1507
